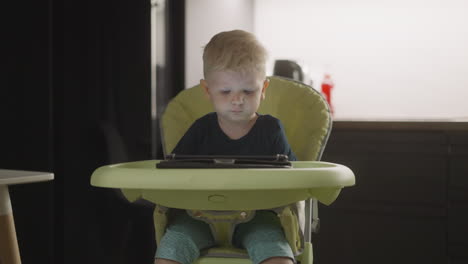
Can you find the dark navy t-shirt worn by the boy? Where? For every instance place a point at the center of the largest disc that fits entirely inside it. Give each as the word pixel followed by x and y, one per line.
pixel 205 137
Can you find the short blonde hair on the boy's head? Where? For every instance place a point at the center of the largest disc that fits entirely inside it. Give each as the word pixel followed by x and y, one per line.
pixel 235 50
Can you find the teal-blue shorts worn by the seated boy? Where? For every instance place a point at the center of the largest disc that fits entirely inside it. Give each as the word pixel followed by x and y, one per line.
pixel 262 237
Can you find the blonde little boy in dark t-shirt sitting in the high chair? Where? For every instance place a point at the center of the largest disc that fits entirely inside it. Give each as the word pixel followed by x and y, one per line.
pixel 234 70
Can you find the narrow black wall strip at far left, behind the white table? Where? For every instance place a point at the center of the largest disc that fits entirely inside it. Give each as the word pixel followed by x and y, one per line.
pixel 26 125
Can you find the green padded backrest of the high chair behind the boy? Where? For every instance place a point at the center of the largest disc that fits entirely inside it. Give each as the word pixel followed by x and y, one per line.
pixel 303 111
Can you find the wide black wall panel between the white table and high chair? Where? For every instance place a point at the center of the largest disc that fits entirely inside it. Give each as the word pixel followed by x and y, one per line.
pixel 104 118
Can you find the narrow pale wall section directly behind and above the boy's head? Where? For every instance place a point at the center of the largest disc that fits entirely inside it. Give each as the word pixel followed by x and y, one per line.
pixel 205 18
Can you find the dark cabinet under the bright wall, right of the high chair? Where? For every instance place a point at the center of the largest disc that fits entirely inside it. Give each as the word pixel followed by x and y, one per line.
pixel 410 201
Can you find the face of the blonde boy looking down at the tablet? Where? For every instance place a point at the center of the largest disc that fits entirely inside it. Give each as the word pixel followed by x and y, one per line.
pixel 235 96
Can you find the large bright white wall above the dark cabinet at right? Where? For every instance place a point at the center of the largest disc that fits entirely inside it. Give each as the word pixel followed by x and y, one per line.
pixel 389 58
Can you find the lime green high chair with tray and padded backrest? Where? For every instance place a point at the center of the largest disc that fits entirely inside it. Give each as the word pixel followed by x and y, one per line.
pixel 226 197
